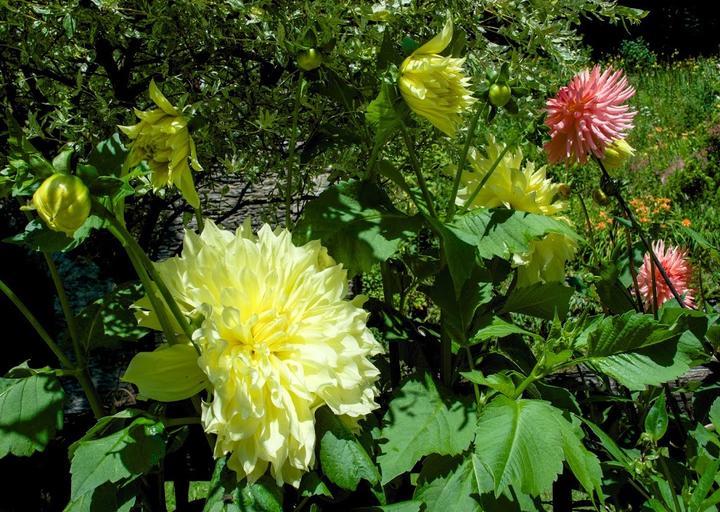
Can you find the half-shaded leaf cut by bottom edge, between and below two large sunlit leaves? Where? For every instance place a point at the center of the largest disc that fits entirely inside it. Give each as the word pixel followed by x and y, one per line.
pixel 445 481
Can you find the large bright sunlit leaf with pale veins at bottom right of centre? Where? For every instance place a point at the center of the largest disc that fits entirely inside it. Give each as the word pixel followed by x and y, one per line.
pixel 523 444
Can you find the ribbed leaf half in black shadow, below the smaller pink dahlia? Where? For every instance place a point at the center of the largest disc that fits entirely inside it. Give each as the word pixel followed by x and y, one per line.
pixel 638 351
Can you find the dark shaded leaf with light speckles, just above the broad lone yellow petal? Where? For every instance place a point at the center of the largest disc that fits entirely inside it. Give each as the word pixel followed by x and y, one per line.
pixel 110 319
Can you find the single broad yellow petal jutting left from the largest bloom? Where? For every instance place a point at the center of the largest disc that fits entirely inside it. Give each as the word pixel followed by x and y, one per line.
pixel 168 374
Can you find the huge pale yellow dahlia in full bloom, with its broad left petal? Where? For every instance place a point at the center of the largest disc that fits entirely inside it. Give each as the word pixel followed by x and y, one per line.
pixel 278 341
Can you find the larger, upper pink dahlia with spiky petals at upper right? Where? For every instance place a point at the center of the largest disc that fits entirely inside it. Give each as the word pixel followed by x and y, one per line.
pixel 588 114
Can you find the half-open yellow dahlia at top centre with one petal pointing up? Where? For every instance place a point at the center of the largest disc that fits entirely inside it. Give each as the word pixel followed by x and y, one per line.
pixel 434 86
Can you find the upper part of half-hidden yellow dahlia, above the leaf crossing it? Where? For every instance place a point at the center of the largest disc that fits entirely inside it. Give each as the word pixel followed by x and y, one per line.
pixel 511 184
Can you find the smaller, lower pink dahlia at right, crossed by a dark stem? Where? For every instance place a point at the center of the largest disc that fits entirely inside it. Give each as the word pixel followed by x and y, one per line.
pixel 676 265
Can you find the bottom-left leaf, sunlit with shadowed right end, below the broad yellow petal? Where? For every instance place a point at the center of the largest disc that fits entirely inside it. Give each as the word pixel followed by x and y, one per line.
pixel 121 456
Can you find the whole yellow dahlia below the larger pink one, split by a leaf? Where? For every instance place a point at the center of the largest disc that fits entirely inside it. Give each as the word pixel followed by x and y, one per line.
pixel 523 188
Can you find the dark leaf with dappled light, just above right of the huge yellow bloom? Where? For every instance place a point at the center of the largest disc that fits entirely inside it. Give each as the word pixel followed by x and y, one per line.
pixel 358 224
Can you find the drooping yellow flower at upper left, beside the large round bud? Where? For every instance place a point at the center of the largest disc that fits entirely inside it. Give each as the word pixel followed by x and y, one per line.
pixel 162 139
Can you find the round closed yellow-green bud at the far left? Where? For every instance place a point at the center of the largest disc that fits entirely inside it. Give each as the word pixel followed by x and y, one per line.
pixel 63 203
